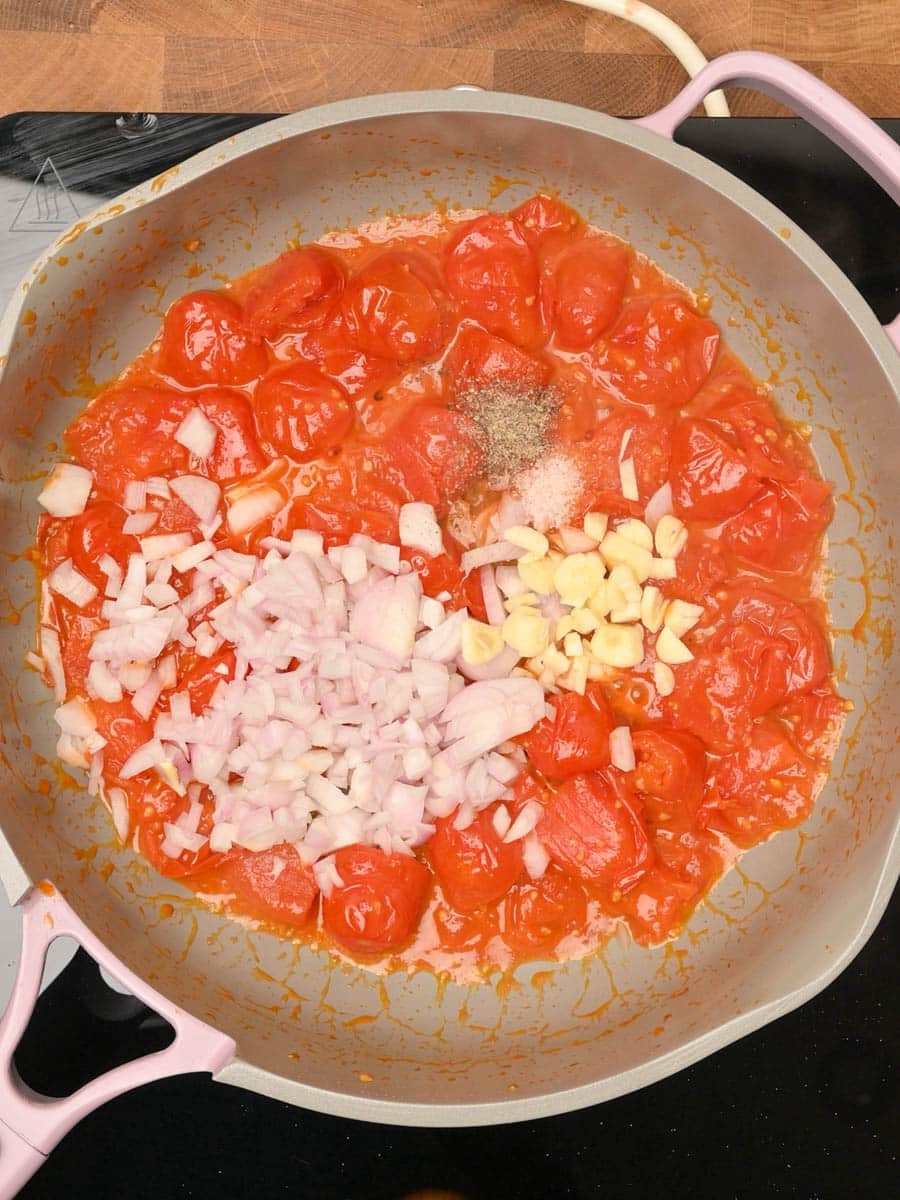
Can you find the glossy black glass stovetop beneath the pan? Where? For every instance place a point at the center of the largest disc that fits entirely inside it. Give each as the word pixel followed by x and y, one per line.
pixel 808 1107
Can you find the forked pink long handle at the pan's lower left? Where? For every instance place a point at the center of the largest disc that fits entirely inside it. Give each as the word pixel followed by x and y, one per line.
pixel 32 1125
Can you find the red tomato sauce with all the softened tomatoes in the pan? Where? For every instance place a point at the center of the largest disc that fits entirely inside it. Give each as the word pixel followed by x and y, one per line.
pixel 331 374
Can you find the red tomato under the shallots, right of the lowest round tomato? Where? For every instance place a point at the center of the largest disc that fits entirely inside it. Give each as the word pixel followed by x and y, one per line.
pixel 473 866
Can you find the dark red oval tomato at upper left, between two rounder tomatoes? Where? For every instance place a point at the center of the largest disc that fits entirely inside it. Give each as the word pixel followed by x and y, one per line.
pixel 295 292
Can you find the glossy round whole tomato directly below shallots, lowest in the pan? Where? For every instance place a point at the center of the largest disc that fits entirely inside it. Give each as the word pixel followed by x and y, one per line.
pixel 377 908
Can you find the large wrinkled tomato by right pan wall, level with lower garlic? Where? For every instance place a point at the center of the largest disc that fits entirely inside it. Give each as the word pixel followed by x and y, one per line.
pixel 779 643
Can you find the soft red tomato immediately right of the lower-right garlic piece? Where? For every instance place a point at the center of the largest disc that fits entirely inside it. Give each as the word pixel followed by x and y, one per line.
pixel 713 699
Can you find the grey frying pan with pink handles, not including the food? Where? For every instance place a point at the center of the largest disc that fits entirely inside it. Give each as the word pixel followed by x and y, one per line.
pixel 285 1021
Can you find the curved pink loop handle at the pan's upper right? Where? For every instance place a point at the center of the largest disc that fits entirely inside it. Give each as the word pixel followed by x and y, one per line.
pixel 877 153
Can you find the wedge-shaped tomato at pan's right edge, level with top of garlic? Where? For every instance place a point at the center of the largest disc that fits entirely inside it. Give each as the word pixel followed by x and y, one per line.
pixel 781 530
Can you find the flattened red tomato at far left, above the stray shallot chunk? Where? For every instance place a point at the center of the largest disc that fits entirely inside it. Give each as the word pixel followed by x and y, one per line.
pixel 129 433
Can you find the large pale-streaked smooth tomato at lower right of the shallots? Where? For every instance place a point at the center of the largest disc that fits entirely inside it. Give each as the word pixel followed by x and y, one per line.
pixel 592 830
